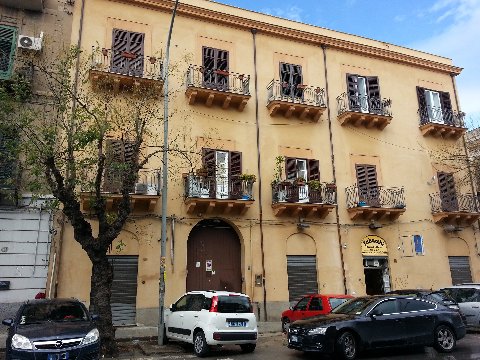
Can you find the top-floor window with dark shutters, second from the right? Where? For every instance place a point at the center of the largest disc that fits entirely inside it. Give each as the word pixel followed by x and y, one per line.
pixel 363 93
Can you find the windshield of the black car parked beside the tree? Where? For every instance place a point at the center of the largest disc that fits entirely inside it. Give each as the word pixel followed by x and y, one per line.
pixel 41 312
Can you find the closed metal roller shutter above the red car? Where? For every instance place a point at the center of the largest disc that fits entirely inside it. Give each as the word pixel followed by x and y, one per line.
pixel 302 276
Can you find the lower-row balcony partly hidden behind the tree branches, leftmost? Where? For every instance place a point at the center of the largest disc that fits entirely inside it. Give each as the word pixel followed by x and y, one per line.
pixel 144 196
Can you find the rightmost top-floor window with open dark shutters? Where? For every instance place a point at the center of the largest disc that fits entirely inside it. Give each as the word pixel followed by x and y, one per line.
pixel 434 106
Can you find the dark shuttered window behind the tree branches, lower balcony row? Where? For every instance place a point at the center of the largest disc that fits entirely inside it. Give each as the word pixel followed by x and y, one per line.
pixel 119 155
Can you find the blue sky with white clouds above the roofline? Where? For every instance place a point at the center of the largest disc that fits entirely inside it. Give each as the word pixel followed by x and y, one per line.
pixel 449 28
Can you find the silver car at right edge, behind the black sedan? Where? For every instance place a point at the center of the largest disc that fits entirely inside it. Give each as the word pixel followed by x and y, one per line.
pixel 468 298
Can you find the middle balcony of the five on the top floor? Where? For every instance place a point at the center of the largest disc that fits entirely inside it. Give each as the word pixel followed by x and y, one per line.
pixel 300 101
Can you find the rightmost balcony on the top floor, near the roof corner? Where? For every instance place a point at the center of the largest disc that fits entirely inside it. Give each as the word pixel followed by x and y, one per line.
pixel 436 122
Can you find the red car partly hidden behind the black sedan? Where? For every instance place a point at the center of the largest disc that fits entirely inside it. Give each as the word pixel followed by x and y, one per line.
pixel 312 305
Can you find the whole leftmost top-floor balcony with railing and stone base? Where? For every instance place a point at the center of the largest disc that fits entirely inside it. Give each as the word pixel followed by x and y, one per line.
pixel 126 72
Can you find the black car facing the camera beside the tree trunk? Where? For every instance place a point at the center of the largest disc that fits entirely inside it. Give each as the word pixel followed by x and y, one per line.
pixel 57 329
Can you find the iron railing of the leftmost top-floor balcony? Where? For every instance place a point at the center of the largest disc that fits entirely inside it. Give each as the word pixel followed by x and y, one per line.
pixel 125 63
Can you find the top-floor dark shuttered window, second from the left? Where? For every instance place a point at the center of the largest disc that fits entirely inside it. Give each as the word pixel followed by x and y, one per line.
pixel 215 68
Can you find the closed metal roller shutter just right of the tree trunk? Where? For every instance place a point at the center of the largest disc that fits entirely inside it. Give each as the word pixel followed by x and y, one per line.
pixel 124 289
